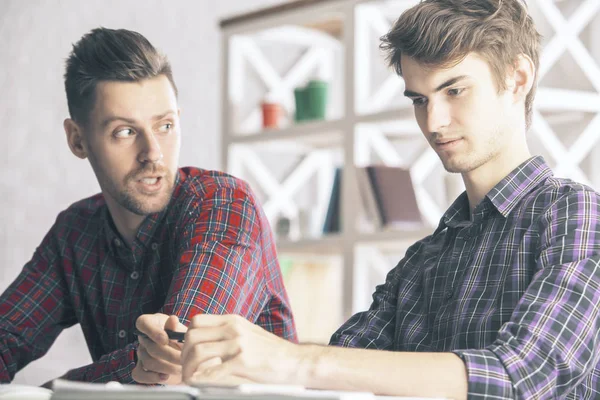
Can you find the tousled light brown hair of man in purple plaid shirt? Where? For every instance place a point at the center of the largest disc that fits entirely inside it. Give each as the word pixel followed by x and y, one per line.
pixel 442 33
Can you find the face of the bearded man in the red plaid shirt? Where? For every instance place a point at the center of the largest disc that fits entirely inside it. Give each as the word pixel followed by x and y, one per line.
pixel 133 142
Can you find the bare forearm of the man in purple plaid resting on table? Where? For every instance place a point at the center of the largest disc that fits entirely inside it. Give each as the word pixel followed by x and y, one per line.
pixel 382 372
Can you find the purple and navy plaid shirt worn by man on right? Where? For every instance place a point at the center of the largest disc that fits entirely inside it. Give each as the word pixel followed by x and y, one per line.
pixel 514 291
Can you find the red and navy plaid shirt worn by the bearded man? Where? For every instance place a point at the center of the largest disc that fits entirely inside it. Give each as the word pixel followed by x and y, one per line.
pixel 210 251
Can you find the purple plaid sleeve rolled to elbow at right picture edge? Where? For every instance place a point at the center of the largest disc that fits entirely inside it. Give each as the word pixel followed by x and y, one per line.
pixel 550 343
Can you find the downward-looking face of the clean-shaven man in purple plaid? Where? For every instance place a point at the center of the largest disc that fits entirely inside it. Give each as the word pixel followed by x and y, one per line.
pixel 462 115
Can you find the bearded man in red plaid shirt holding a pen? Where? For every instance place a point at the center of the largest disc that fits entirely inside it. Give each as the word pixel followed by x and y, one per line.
pixel 157 241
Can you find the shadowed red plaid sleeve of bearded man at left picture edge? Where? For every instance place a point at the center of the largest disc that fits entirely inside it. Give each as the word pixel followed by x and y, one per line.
pixel 33 310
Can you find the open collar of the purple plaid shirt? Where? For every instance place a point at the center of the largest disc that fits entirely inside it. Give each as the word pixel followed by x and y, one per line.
pixel 504 197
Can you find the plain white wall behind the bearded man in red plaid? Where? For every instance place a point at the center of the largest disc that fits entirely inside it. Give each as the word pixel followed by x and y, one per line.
pixel 38 175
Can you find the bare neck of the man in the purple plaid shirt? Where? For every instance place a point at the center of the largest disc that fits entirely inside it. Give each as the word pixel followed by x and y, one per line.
pixel 481 180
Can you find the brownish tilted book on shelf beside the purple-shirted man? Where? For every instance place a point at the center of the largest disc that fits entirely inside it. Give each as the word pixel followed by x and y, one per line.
pixel 389 197
